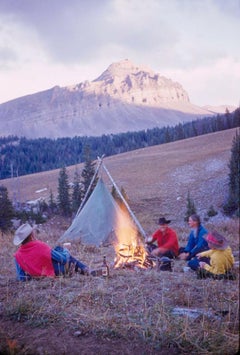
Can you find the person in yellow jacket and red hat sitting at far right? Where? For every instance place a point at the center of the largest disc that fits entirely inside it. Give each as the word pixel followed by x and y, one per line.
pixel 220 256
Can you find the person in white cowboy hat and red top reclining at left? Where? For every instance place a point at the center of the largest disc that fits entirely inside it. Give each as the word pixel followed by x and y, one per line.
pixel 35 258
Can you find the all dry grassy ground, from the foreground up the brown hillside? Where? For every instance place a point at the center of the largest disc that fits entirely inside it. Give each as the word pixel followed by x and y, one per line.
pixel 134 310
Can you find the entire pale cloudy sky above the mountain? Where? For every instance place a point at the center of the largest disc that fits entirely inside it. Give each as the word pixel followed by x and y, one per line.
pixel 64 42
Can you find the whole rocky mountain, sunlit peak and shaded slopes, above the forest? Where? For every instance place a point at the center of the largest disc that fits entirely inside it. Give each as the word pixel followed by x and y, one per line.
pixel 125 97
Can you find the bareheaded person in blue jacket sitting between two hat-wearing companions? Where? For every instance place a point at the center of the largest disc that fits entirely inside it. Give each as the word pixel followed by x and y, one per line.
pixel 196 242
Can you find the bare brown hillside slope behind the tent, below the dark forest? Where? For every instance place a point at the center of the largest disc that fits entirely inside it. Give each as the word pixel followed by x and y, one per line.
pixel 156 179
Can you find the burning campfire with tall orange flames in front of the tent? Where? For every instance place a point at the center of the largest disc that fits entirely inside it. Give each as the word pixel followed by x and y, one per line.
pixel 129 248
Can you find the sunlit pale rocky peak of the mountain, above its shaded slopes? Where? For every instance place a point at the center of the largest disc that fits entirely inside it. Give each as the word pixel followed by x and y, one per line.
pixel 138 85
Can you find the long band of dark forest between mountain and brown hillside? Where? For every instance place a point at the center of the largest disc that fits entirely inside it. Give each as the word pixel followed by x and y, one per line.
pixel 22 156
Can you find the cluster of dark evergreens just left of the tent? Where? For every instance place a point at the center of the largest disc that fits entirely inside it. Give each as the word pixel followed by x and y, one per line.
pixel 66 203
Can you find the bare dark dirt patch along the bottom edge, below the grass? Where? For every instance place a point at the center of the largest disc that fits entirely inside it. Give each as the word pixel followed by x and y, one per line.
pixel 61 339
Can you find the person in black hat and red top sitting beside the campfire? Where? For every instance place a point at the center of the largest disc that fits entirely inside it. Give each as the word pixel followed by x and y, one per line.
pixel 167 244
